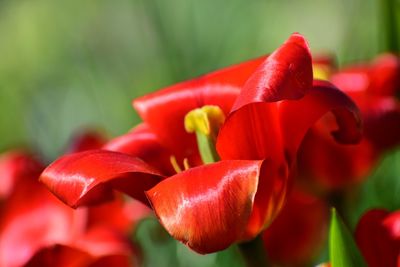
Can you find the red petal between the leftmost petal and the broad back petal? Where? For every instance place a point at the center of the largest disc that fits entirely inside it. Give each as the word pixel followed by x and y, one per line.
pixel 144 144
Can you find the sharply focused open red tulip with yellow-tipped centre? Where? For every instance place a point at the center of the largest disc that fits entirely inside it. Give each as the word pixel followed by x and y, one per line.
pixel 231 137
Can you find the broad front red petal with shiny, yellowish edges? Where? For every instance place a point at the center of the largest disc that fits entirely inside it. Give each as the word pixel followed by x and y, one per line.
pixel 207 207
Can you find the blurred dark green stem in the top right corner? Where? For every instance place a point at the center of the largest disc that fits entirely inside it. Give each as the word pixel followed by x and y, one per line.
pixel 390 30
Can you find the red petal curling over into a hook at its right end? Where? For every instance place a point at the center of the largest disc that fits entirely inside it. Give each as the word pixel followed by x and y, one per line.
pixel 275 130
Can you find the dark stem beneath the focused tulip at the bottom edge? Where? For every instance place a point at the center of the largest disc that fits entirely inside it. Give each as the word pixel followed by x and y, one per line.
pixel 254 253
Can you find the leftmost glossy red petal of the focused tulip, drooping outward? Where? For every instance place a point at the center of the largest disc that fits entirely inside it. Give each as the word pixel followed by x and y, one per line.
pixel 89 177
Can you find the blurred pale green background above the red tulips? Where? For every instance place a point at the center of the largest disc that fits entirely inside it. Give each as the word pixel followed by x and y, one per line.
pixel 71 64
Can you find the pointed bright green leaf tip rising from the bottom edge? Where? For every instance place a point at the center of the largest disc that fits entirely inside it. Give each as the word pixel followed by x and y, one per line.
pixel 343 250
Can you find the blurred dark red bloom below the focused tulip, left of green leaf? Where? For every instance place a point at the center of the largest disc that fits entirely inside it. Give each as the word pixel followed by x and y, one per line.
pixel 298 233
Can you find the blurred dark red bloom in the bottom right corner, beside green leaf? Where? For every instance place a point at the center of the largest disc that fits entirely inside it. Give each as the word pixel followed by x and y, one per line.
pixel 378 237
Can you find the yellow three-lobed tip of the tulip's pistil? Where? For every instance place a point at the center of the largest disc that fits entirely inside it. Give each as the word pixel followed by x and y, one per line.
pixel 205 120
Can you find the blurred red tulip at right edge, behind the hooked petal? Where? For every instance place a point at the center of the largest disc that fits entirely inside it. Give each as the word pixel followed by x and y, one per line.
pixel 331 165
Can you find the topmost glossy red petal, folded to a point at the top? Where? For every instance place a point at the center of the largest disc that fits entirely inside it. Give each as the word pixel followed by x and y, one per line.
pixel 285 74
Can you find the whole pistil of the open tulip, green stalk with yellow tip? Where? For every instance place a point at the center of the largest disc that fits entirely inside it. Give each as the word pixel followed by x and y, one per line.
pixel 205 122
